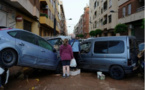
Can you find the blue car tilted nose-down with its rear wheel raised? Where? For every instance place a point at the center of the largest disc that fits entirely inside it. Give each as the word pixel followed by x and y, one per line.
pixel 23 48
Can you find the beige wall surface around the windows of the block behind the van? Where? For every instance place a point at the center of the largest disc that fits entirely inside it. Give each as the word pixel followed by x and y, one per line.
pixel 101 15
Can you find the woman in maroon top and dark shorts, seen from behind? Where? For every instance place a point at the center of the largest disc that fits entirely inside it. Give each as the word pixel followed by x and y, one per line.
pixel 66 55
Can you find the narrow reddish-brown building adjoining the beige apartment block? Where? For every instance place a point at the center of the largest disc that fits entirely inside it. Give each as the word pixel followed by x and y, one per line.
pixel 86 22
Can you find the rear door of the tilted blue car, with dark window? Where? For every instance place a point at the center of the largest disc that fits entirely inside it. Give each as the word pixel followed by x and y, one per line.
pixel 29 51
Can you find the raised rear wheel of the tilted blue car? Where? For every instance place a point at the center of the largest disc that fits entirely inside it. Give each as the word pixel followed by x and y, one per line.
pixel 8 58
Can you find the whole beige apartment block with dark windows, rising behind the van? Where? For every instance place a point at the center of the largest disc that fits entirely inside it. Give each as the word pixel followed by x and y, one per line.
pixel 101 17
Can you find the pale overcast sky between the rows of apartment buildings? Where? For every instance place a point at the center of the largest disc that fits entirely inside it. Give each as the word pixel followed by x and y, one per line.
pixel 73 9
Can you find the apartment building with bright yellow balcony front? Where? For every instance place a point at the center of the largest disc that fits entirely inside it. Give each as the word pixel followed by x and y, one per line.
pixel 49 18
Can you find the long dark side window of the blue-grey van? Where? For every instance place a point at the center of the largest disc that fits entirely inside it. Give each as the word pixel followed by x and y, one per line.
pixel 109 47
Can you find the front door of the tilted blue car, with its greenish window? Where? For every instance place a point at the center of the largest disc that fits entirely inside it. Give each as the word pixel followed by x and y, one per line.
pixel 47 57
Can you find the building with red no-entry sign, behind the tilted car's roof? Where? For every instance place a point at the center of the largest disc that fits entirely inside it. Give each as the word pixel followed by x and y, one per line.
pixel 22 14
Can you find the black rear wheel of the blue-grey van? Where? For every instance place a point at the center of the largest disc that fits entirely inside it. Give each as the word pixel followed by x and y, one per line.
pixel 117 72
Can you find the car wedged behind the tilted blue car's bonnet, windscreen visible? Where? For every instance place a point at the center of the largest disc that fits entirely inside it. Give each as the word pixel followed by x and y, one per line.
pixel 56 41
